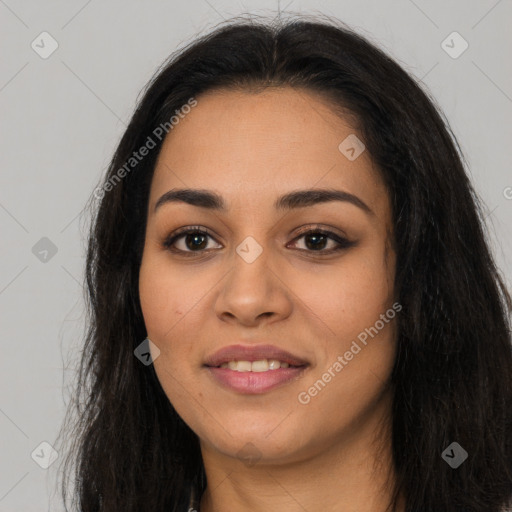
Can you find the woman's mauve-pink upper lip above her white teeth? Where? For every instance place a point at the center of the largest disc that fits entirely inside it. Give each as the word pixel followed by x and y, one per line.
pixel 253 353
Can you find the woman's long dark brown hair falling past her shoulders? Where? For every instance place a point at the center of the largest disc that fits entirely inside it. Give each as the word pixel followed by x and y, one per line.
pixel 131 452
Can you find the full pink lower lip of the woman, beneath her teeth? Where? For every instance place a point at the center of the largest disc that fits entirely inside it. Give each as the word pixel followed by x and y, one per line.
pixel 253 383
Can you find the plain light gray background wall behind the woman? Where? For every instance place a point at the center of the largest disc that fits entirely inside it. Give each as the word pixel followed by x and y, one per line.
pixel 62 117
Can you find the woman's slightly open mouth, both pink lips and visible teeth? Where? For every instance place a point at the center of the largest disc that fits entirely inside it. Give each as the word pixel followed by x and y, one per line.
pixel 254 369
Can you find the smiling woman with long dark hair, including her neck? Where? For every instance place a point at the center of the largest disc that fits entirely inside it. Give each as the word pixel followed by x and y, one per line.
pixel 293 304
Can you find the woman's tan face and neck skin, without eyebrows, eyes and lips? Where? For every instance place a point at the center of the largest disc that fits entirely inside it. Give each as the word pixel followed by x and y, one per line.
pixel 333 453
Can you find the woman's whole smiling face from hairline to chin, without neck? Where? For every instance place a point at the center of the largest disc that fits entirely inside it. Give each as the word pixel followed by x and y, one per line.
pixel 258 284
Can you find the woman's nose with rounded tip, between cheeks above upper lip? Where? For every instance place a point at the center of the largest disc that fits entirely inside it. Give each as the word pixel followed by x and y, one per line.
pixel 252 292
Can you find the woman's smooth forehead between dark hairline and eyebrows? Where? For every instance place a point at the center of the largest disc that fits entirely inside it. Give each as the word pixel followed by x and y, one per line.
pixel 242 144
